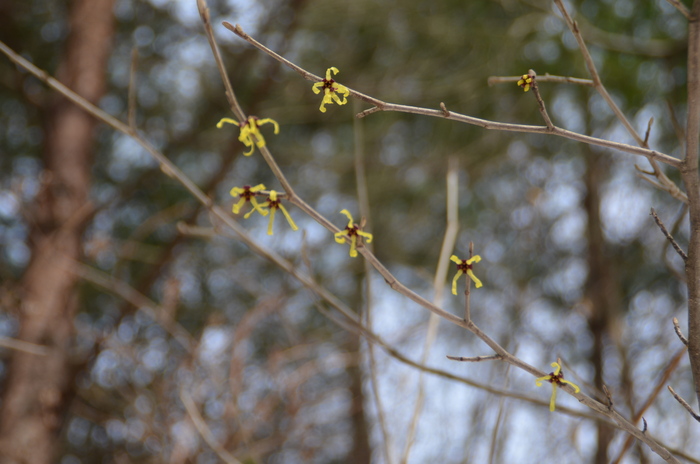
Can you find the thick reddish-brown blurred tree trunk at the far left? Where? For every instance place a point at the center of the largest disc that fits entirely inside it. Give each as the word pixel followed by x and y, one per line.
pixel 38 388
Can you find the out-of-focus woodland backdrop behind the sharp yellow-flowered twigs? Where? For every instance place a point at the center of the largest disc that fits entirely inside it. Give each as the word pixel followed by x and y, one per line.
pixel 572 265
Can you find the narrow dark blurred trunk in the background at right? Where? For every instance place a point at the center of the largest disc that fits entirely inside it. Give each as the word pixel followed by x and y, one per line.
pixel 602 291
